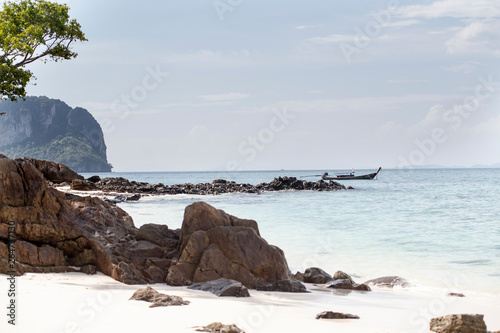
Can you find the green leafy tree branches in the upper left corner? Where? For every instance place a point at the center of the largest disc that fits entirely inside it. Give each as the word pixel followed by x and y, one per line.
pixel 32 30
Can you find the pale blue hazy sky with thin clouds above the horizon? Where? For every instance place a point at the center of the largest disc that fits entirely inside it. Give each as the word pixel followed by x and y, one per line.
pixel 259 85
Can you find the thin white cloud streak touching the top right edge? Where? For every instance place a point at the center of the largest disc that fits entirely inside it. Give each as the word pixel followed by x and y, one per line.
pixel 454 8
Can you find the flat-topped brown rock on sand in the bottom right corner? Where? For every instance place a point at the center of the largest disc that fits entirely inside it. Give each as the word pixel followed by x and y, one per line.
pixel 458 323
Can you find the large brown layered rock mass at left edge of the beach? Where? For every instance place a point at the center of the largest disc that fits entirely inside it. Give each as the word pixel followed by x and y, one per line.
pixel 55 232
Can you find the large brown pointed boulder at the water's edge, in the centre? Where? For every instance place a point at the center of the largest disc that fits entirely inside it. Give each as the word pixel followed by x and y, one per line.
pixel 216 245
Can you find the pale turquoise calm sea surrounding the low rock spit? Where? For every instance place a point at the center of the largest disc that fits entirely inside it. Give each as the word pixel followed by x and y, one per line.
pixel 437 228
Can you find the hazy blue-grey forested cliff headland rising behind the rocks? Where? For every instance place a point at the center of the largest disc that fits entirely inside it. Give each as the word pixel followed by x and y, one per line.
pixel 49 129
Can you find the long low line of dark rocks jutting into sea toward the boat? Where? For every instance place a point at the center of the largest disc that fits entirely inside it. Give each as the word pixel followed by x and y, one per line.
pixel 218 186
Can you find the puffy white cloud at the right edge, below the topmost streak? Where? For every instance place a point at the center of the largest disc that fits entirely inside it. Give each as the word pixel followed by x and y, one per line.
pixel 478 37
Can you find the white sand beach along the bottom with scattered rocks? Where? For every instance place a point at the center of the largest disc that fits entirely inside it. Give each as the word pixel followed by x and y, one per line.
pixel 75 302
